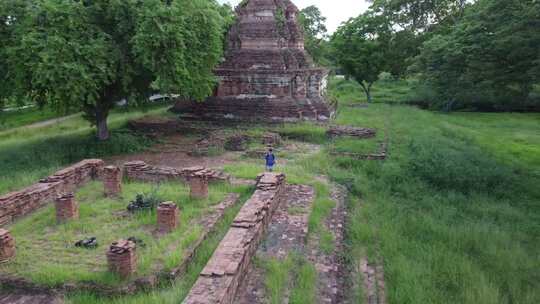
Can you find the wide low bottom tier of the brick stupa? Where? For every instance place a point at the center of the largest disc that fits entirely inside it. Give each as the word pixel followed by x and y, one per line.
pixel 256 109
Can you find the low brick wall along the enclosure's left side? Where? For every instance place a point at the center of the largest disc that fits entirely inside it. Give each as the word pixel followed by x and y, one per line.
pixel 20 203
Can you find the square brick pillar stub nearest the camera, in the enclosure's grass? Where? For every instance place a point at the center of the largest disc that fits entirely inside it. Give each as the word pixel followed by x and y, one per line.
pixel 122 258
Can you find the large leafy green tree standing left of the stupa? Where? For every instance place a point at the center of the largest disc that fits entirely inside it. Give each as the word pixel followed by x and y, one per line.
pixel 88 54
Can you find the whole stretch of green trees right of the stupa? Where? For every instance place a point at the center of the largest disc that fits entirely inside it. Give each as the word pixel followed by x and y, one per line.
pixel 480 55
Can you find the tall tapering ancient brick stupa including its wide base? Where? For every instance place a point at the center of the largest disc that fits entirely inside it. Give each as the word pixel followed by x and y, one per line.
pixel 267 75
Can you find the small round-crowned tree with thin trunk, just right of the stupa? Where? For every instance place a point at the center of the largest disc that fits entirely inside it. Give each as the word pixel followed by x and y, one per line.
pixel 361 48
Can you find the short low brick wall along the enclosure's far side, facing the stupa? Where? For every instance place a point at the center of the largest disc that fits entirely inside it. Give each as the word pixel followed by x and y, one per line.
pixel 141 171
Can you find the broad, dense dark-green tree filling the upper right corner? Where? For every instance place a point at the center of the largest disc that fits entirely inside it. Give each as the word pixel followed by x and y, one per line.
pixel 489 60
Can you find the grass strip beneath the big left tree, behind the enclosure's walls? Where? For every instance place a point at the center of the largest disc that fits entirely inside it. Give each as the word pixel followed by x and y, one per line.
pixel 29 154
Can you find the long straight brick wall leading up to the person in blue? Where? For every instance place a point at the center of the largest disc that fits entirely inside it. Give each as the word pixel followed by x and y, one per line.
pixel 225 270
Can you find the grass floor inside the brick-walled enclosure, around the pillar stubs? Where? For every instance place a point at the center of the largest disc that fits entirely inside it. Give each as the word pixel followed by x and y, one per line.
pixel 46 251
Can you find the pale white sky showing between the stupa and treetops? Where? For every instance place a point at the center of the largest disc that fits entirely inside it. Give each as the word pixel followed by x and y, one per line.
pixel 336 11
